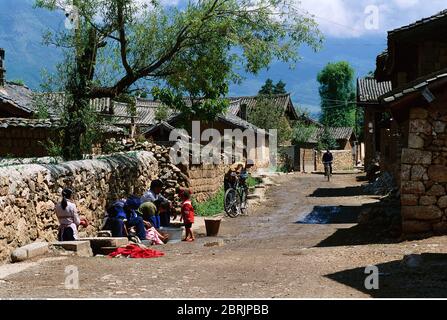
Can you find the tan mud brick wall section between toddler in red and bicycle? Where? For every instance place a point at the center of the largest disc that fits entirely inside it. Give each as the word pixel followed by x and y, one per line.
pixel 205 180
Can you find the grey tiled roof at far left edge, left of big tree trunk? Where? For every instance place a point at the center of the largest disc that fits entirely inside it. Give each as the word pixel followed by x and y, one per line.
pixel 17 95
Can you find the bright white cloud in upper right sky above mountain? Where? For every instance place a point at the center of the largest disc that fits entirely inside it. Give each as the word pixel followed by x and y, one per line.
pixel 346 18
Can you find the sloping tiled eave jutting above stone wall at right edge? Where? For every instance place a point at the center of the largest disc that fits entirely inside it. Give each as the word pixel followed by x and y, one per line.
pixel 413 87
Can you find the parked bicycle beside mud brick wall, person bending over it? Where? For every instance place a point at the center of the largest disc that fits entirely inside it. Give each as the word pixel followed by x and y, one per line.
pixel 236 201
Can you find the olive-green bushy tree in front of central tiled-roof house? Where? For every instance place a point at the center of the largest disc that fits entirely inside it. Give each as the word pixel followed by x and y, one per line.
pixel 269 116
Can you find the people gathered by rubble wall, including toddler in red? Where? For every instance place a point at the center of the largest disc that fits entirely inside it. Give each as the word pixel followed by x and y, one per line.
pixel 140 217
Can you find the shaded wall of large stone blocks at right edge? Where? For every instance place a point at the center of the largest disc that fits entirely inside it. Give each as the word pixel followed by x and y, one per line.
pixel 424 172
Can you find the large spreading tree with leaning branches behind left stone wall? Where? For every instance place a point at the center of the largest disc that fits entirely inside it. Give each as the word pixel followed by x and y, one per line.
pixel 118 46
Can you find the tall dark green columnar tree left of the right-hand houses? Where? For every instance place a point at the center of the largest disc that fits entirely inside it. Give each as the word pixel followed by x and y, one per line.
pixel 337 92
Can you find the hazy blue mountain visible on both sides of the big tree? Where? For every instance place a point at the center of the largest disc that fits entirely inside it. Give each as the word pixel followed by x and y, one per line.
pixel 22 26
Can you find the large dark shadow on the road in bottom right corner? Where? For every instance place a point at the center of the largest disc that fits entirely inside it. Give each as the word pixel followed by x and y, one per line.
pixel 398 281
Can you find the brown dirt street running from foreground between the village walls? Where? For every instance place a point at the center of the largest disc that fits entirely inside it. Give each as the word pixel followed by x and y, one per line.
pixel 266 255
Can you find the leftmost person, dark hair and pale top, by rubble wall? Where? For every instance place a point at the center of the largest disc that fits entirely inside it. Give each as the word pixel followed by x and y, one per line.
pixel 68 217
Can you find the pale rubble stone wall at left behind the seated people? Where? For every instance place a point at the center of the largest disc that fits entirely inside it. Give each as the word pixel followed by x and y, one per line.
pixel 28 194
